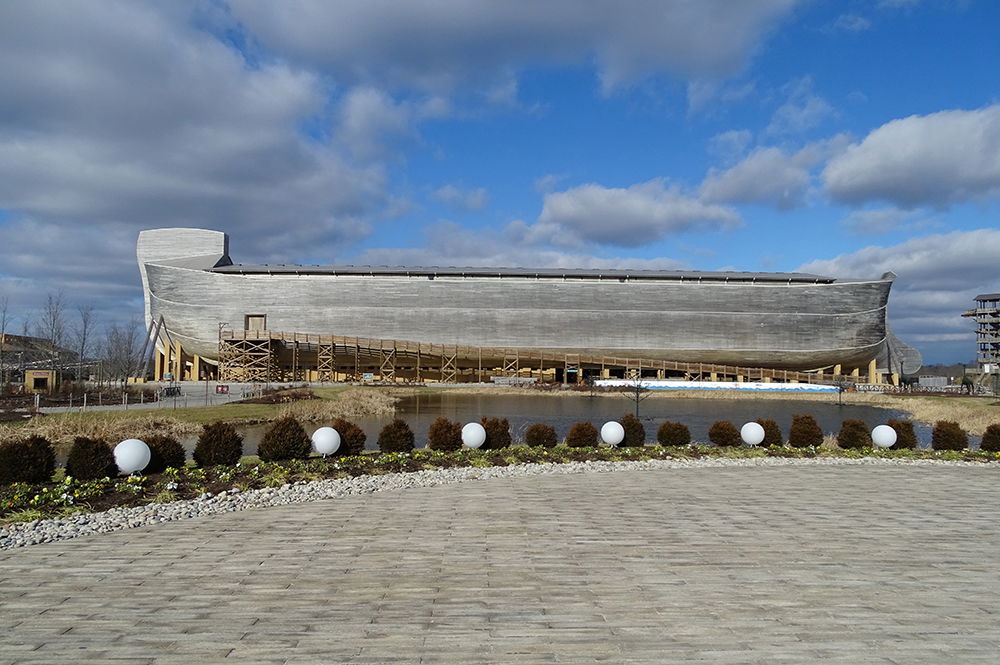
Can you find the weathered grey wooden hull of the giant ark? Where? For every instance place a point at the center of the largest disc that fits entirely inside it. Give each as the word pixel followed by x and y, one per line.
pixel 794 321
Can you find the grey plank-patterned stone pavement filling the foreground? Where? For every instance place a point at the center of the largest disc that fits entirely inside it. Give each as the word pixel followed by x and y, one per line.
pixel 839 564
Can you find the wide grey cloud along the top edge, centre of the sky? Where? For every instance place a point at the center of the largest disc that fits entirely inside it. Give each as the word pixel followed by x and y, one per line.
pixel 435 45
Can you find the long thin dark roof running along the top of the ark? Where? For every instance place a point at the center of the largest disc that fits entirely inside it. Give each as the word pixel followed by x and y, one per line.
pixel 538 273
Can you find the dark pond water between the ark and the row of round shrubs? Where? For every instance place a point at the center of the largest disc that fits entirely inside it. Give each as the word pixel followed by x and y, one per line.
pixel 562 411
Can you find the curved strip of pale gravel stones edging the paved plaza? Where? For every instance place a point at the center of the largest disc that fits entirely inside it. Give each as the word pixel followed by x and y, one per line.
pixel 46 531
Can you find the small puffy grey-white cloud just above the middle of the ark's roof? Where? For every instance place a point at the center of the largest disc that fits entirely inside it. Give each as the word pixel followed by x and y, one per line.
pixel 622 217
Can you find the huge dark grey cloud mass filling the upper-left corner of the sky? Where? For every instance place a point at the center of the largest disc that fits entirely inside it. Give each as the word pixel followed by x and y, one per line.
pixel 131 118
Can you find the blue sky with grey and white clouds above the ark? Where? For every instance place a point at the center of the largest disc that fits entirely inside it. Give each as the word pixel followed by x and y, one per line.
pixel 842 137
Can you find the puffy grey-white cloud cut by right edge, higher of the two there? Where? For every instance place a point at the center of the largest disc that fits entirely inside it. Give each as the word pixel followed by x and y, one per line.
pixel 937 160
